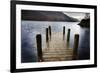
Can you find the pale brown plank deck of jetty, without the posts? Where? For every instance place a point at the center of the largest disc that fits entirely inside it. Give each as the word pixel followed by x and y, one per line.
pixel 56 49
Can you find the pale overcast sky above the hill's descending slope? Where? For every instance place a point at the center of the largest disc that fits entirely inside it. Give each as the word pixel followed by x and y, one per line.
pixel 77 15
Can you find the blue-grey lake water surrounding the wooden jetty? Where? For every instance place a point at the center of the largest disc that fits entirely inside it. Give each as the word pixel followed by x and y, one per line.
pixel 29 29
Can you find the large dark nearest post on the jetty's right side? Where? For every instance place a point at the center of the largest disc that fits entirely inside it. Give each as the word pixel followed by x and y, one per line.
pixel 75 47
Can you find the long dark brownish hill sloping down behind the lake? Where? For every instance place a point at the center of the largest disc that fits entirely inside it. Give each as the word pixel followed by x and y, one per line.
pixel 45 16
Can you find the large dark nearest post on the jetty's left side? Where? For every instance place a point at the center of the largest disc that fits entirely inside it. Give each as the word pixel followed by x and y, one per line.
pixel 39 47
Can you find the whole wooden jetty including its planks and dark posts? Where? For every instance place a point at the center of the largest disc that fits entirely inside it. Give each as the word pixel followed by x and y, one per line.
pixel 57 47
